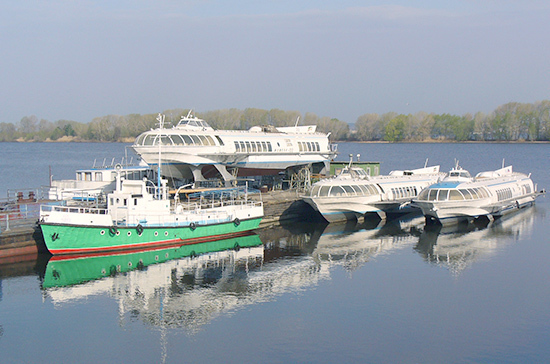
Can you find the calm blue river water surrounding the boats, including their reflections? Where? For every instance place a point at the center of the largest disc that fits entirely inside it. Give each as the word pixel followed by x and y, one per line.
pixel 379 293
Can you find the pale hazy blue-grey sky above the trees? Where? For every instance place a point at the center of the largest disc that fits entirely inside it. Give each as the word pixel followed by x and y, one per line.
pixel 80 59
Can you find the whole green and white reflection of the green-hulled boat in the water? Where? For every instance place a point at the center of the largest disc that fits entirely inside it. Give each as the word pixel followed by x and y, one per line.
pixel 180 286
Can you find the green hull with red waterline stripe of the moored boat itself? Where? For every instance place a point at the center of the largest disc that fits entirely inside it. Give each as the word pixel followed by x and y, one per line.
pixel 71 239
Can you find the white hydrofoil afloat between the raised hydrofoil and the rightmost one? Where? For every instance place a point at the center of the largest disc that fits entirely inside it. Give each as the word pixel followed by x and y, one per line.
pixel 353 193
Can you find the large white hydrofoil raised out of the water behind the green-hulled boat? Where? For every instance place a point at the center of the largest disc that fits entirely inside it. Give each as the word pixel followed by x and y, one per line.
pixel 194 150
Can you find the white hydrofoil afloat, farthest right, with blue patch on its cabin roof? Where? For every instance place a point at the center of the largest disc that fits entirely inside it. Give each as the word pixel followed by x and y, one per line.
pixel 488 196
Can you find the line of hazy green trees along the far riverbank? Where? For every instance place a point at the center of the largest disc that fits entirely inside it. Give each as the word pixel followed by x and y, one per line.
pixel 510 122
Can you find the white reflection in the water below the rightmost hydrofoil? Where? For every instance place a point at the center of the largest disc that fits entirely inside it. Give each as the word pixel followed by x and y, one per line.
pixel 458 247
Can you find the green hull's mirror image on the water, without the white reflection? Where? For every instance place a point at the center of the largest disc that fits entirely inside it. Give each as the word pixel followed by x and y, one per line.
pixel 67 270
